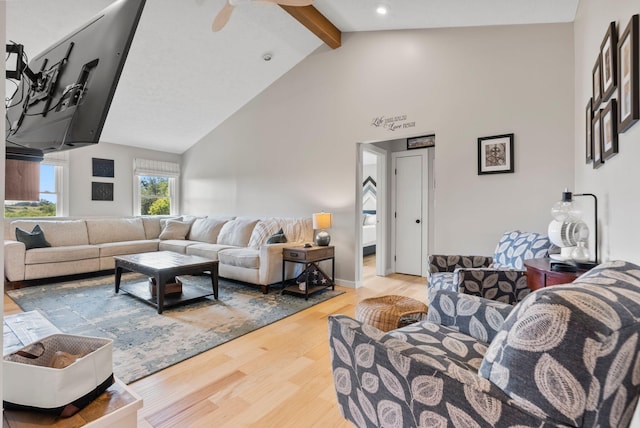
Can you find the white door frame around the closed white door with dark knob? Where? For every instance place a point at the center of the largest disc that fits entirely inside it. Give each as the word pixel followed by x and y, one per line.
pixel 424 156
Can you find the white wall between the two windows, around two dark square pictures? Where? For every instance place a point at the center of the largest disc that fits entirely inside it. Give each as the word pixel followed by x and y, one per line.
pixel 80 178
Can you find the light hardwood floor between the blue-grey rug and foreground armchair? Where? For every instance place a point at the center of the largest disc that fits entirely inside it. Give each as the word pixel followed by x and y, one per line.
pixel 277 376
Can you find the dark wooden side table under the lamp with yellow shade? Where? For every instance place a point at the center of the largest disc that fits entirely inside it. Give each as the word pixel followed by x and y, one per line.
pixel 310 257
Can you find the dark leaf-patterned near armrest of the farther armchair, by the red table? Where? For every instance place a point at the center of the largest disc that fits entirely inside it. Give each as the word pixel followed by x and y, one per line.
pixel 504 285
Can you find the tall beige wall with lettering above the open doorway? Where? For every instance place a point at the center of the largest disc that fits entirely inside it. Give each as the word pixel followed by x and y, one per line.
pixel 292 150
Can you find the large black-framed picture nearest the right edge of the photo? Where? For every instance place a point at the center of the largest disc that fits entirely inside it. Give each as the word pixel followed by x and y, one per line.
pixel 628 76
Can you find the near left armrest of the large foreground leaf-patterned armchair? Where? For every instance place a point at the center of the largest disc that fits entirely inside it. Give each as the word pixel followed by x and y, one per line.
pixel 384 381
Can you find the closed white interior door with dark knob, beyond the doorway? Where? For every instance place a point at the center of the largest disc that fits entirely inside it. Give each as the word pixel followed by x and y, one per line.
pixel 409 223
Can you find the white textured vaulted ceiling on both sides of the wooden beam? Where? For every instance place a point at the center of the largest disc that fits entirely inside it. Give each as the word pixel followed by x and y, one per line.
pixel 181 80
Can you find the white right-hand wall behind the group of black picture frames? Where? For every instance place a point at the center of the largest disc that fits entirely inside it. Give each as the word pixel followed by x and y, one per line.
pixel 616 182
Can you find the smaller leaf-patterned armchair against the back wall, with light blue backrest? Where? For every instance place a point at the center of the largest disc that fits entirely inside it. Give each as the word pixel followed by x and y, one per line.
pixel 501 277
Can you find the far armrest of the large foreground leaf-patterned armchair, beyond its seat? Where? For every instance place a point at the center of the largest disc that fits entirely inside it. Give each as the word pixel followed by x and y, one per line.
pixel 472 315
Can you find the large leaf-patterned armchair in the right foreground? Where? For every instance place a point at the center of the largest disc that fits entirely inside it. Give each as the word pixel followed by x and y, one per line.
pixel 566 355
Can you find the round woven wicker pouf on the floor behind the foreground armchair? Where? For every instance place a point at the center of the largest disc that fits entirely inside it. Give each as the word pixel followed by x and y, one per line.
pixel 390 312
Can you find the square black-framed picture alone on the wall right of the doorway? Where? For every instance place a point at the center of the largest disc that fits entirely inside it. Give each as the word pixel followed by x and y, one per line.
pixel 496 154
